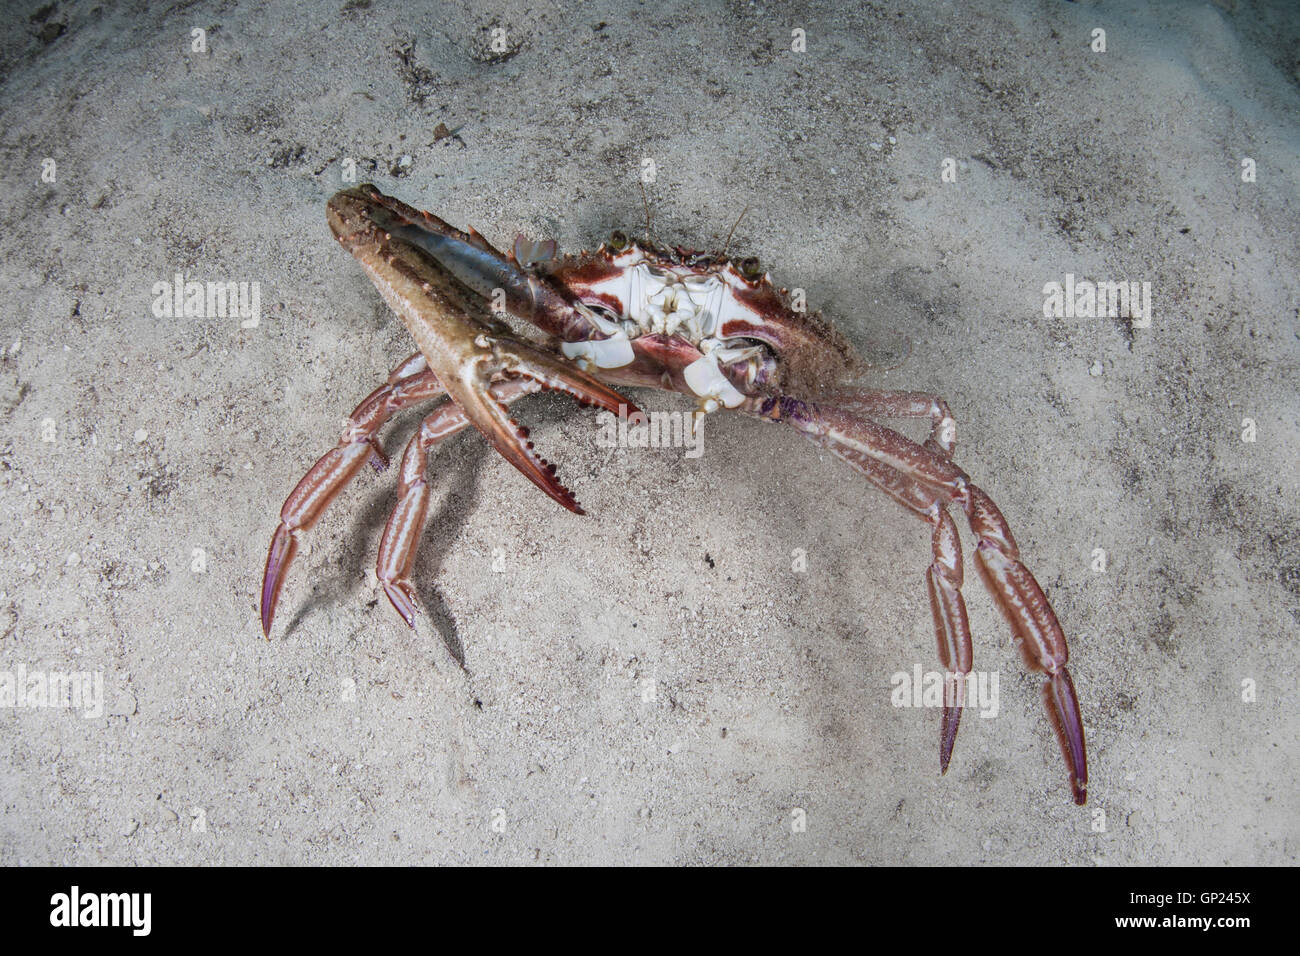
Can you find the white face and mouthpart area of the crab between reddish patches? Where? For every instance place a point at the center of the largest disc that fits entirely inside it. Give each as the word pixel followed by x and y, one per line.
pixel 671 301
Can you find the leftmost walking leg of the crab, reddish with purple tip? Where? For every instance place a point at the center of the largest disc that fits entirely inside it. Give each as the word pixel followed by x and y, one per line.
pixel 410 383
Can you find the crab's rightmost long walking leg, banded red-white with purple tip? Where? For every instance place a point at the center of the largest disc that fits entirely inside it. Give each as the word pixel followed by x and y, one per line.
pixel 1034 624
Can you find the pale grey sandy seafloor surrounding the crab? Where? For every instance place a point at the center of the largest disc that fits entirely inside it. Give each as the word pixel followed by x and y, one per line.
pixel 350 739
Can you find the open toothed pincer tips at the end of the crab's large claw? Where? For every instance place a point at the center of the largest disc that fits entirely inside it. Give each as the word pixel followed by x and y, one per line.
pixel 469 390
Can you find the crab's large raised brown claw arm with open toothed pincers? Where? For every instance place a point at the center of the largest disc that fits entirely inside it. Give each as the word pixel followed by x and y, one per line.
pixel 428 274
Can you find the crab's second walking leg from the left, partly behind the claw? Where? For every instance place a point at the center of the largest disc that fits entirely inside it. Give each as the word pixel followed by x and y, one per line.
pixel 406 524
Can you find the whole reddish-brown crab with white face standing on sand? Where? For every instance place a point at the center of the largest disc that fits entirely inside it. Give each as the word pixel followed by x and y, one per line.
pixel 638 314
